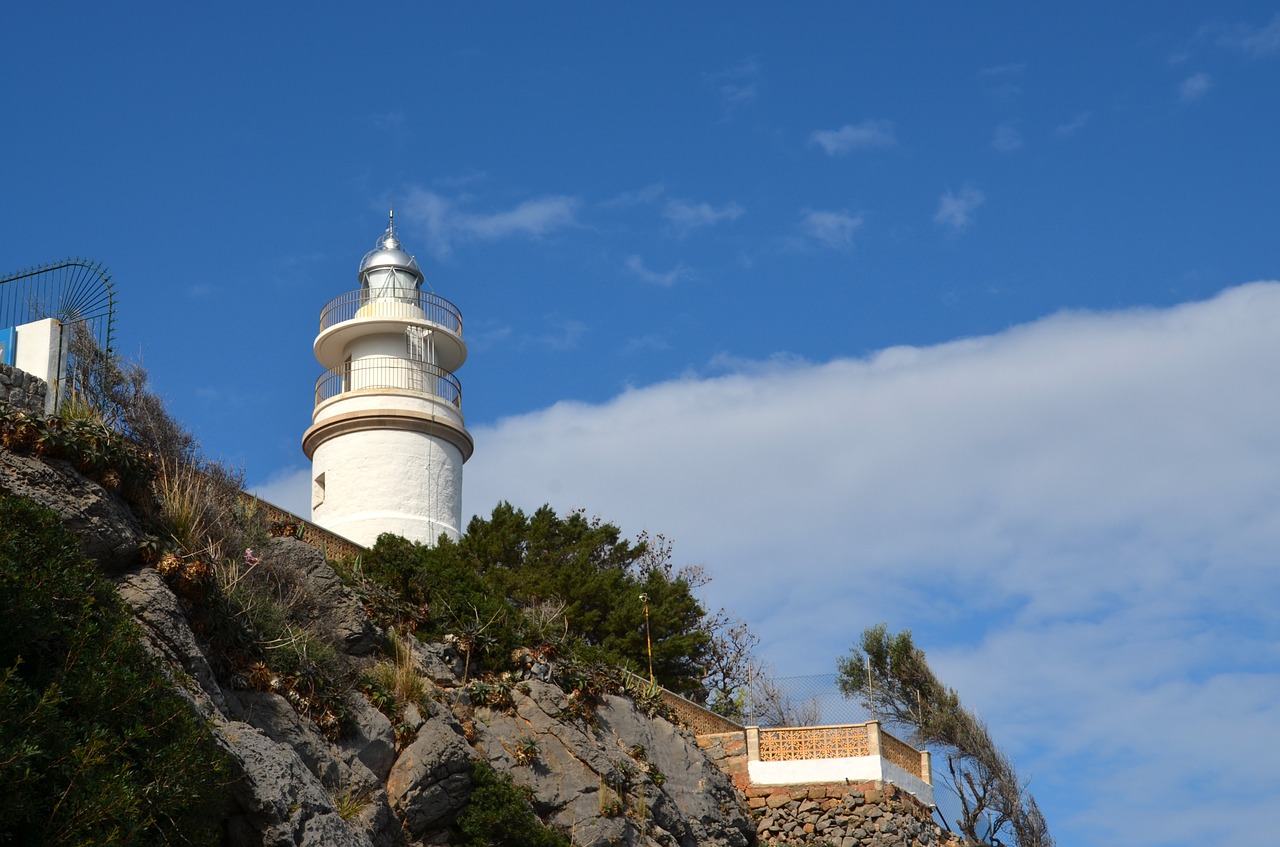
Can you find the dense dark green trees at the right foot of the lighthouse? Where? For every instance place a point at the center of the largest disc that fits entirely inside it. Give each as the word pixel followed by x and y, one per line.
pixel 568 585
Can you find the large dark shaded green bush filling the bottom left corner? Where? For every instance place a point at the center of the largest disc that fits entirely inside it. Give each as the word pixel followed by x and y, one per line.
pixel 97 748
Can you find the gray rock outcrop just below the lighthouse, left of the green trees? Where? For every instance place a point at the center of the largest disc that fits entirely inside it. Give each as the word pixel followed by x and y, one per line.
pixel 330 607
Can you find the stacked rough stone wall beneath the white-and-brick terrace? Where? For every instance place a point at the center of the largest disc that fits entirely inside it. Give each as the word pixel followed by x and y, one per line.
pixel 844 816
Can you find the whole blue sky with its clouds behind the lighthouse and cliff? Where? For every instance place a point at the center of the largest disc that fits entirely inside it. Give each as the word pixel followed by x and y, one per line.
pixel 952 317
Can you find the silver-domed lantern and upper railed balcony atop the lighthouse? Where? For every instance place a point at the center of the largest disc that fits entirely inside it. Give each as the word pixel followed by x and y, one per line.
pixel 391 303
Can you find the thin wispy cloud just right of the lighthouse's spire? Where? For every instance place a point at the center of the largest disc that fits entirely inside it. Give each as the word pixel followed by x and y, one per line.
pixel 446 225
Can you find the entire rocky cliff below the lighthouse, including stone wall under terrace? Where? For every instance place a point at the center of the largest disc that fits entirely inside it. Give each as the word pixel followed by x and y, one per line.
pixel 595 766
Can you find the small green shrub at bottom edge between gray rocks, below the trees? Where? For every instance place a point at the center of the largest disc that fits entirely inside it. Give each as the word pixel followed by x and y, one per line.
pixel 500 814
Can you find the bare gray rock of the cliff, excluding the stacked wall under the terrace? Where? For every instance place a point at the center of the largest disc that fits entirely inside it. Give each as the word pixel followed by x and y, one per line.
pixel 627 780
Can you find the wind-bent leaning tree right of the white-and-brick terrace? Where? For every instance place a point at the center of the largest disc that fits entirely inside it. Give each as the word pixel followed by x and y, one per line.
pixel 894 674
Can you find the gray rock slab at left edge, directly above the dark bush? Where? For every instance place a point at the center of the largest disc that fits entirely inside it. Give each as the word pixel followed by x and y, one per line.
pixel 107 530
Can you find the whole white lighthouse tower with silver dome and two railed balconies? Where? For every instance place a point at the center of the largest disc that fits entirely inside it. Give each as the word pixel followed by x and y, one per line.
pixel 387 439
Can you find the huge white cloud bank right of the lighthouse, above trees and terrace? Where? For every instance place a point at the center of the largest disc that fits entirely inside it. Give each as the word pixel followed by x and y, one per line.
pixel 1077 518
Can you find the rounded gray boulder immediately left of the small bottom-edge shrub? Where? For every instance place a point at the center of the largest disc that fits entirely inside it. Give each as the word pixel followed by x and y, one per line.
pixel 431 782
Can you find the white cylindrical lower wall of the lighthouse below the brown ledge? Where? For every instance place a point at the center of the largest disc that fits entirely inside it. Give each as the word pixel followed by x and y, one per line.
pixel 390 482
